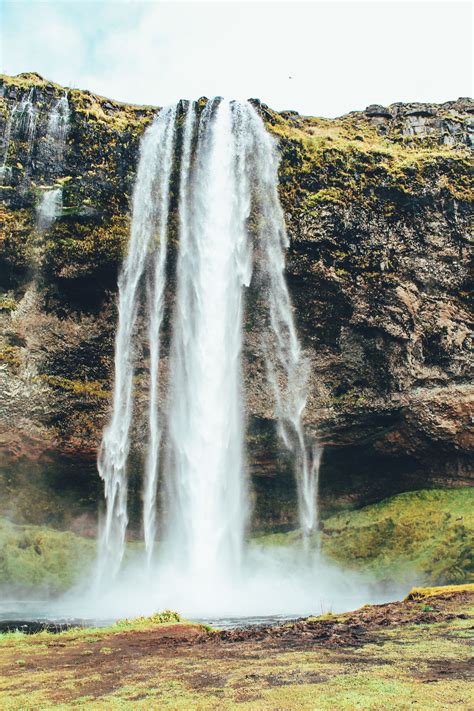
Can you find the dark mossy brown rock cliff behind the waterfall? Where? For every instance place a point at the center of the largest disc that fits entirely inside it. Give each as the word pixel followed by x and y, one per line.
pixel 378 211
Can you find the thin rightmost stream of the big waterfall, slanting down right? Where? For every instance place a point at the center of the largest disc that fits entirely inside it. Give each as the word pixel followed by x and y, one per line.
pixel 286 365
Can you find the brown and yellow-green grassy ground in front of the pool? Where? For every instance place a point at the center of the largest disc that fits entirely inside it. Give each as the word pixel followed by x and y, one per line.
pixel 400 655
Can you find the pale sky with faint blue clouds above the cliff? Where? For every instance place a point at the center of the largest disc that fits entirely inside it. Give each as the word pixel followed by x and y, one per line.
pixel 318 58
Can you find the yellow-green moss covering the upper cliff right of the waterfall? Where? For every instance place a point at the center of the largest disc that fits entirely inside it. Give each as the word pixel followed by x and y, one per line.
pixel 345 161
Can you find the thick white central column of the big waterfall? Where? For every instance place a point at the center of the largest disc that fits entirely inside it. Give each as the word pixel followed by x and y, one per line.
pixel 205 476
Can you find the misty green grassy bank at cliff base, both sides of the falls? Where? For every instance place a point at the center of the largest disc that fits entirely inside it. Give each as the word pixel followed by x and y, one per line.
pixel 423 536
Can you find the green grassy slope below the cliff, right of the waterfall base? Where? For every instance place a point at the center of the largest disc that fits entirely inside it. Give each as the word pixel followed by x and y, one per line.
pixel 425 535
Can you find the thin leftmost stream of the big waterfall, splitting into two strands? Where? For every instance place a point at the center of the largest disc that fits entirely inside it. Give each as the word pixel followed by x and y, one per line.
pixel 146 252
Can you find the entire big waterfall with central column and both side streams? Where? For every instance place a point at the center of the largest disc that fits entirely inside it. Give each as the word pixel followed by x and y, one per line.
pixel 209 174
